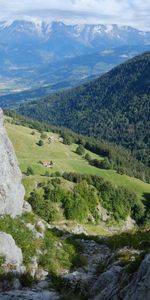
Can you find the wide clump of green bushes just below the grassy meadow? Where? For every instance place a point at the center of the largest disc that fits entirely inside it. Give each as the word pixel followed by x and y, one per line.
pixel 82 201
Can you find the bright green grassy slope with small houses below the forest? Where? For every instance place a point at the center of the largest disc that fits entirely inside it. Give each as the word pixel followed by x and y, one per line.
pixel 63 157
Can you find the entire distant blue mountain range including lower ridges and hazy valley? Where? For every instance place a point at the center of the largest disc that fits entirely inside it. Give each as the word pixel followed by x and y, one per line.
pixel 52 56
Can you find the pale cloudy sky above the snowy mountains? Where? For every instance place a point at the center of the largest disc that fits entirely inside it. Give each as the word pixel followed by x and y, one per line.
pixel 134 13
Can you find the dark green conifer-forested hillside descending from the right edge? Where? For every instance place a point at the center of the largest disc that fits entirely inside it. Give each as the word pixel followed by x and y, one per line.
pixel 115 107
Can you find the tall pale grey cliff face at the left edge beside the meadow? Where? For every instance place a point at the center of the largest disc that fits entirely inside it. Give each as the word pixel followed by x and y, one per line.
pixel 11 189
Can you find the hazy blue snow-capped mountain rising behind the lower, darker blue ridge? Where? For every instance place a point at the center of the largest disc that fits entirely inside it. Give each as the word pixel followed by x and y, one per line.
pixel 29 43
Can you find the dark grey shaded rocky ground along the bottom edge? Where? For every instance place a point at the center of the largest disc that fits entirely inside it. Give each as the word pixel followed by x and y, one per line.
pixel 102 278
